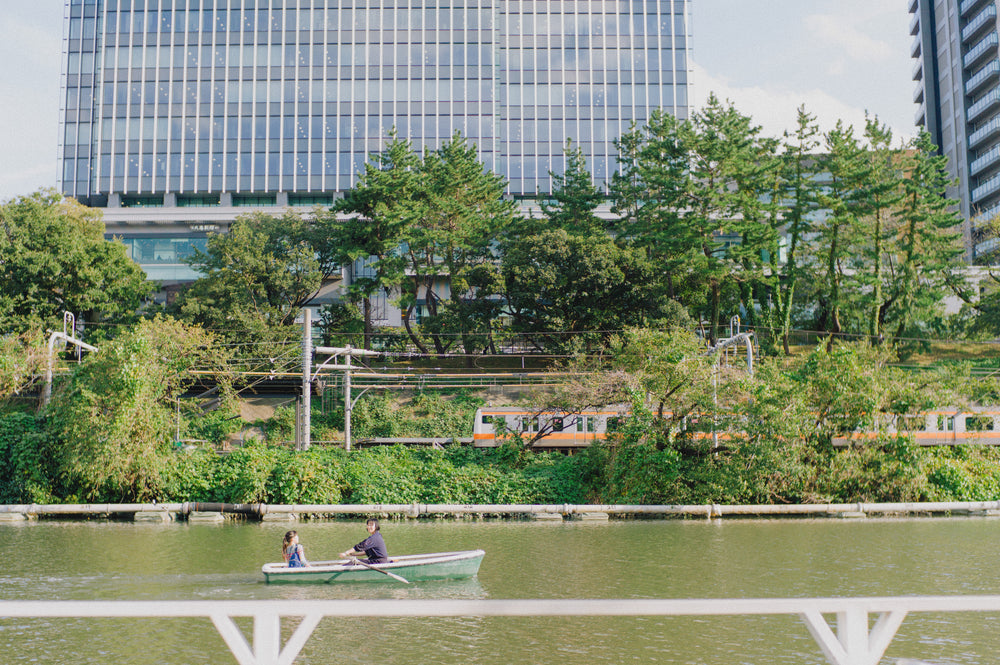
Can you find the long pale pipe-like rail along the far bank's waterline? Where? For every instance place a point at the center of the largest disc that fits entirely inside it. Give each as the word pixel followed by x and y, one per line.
pixel 414 510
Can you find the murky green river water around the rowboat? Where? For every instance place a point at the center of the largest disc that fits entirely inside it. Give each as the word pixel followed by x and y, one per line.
pixel 70 560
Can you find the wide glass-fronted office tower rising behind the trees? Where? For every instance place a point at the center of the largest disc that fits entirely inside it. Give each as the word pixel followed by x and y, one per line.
pixel 181 114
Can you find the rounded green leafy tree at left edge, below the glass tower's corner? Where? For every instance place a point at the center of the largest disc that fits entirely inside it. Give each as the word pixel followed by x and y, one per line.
pixel 54 259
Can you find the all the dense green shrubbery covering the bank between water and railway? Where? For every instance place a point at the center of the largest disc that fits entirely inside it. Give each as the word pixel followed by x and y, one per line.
pixel 108 436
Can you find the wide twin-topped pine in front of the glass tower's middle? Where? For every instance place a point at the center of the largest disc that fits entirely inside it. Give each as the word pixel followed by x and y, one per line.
pixel 437 221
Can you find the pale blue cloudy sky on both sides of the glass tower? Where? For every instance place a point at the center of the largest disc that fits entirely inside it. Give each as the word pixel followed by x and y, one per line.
pixel 839 58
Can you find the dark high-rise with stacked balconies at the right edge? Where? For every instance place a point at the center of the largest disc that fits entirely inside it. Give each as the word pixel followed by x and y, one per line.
pixel 957 71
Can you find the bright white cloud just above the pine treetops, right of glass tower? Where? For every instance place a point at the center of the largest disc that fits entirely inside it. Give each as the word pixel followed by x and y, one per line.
pixel 775 108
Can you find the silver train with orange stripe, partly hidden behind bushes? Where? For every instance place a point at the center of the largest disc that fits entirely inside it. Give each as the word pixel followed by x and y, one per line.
pixel 563 430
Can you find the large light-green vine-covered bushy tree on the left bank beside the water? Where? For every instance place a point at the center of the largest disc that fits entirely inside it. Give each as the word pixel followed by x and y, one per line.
pixel 113 421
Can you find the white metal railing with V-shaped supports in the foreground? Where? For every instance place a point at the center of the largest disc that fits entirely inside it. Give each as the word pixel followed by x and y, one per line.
pixel 852 643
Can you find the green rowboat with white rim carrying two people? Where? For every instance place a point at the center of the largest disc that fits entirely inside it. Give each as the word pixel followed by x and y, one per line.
pixel 412 567
